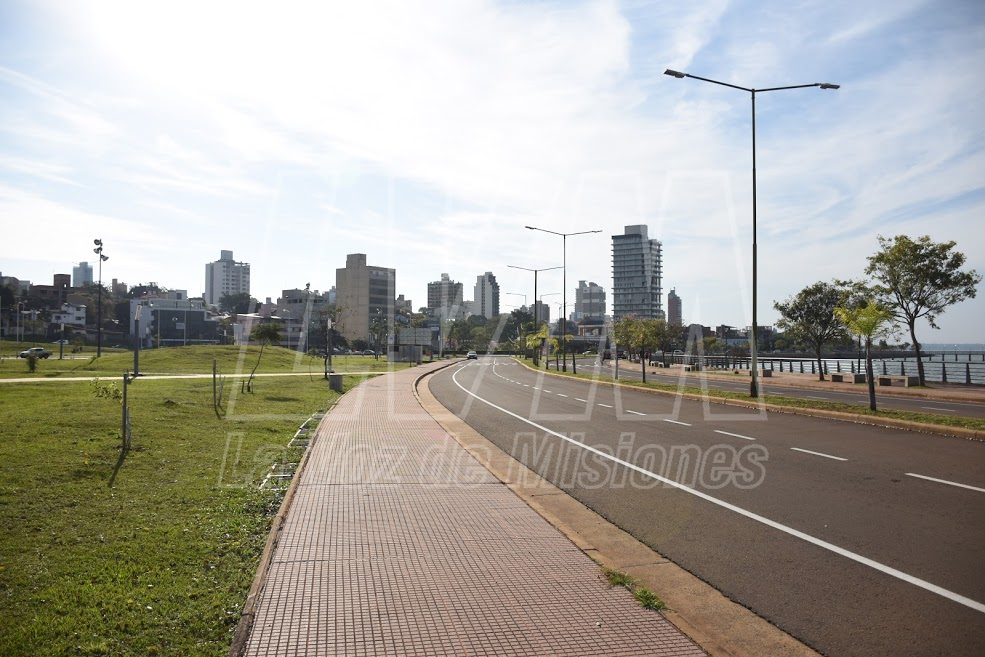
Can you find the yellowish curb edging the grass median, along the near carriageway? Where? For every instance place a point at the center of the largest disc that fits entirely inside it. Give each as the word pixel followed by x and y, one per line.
pixel 891 423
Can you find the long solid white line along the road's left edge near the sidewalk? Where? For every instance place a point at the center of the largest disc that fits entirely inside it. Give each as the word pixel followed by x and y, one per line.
pixel 848 554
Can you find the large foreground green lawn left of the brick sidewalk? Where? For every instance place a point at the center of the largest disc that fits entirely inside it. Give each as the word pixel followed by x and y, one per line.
pixel 150 554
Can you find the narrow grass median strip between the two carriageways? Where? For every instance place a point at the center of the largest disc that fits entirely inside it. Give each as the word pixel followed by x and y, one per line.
pixel 794 402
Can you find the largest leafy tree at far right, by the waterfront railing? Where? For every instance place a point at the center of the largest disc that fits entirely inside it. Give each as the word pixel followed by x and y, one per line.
pixel 920 279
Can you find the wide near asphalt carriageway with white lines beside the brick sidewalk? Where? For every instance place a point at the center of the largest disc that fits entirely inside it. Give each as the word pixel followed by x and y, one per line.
pixel 822 527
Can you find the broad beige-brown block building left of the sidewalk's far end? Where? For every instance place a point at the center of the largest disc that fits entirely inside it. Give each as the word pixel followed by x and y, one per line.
pixel 364 293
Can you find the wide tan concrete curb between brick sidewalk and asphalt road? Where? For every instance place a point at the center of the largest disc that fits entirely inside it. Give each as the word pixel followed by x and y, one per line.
pixel 719 626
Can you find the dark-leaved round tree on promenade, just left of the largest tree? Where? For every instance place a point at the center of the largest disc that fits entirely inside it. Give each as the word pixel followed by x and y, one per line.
pixel 810 318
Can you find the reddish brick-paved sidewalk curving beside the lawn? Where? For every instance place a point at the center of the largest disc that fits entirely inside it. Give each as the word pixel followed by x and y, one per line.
pixel 399 543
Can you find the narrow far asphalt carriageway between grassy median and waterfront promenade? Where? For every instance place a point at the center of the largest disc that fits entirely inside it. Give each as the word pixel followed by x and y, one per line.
pixel 853 396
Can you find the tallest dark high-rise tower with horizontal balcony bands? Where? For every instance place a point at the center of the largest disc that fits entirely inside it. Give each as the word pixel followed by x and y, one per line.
pixel 637 268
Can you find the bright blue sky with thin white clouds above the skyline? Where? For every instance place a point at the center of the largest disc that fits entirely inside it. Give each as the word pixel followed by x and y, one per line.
pixel 428 134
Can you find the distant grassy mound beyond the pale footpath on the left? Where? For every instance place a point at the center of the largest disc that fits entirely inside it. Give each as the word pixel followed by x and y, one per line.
pixel 192 360
